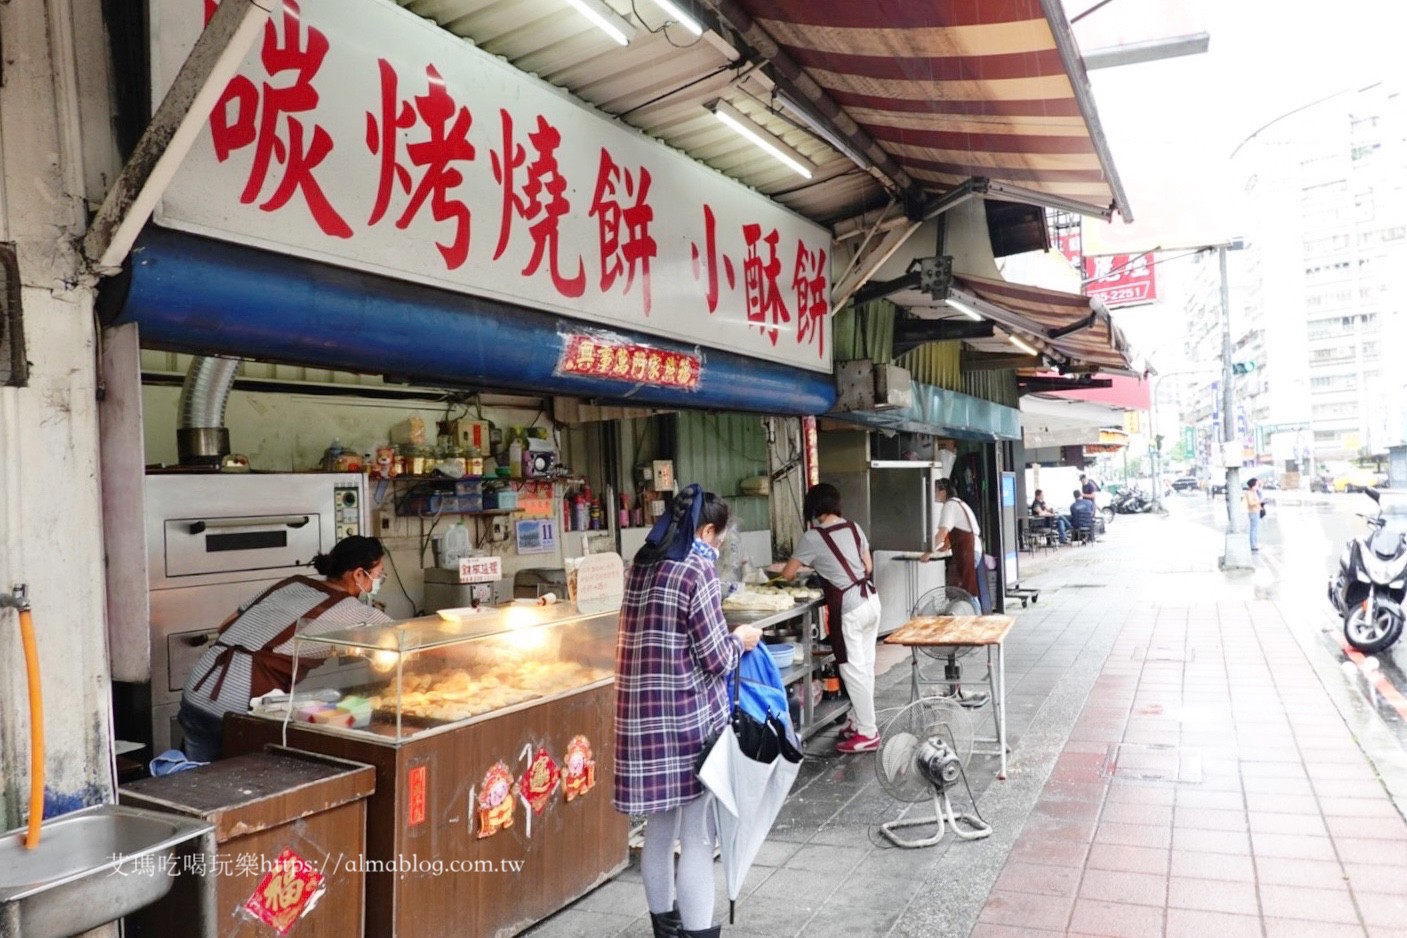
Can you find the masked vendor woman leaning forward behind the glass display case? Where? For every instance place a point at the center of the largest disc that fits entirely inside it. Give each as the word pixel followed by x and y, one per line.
pixel 254 653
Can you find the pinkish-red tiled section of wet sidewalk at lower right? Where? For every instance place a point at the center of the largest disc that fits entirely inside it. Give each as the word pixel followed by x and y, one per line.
pixel 1211 788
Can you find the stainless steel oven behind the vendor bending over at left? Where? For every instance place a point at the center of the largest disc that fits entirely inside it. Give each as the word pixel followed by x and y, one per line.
pixel 213 541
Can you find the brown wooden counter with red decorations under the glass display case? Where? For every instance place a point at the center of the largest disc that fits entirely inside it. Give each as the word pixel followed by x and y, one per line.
pixel 421 816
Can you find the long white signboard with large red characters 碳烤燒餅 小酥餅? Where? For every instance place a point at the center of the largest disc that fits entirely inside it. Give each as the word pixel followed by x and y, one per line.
pixel 364 136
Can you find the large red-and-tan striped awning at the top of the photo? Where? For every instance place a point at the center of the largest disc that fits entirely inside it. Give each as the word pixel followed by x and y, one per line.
pixel 960 89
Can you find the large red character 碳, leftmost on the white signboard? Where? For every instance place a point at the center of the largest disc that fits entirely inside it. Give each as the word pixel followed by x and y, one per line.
pixel 264 117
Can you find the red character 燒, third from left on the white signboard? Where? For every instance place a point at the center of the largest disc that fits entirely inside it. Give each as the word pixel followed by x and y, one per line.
pixel 545 179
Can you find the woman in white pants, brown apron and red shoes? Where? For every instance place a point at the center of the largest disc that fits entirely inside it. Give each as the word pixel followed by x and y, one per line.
pixel 841 555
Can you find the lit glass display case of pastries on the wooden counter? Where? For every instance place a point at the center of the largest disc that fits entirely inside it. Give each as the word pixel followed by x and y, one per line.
pixel 420 677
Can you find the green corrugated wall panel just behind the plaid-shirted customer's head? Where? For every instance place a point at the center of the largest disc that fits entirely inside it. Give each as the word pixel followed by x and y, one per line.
pixel 718 451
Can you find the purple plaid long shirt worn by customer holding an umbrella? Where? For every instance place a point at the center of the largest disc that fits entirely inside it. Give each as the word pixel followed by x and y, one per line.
pixel 673 655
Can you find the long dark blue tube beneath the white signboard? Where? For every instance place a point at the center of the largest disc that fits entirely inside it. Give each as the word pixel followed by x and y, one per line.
pixel 210 297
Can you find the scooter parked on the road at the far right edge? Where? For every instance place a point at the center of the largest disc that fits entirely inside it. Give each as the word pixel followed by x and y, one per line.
pixel 1371 584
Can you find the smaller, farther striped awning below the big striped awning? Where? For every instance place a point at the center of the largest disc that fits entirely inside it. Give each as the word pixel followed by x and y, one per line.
pixel 1071 327
